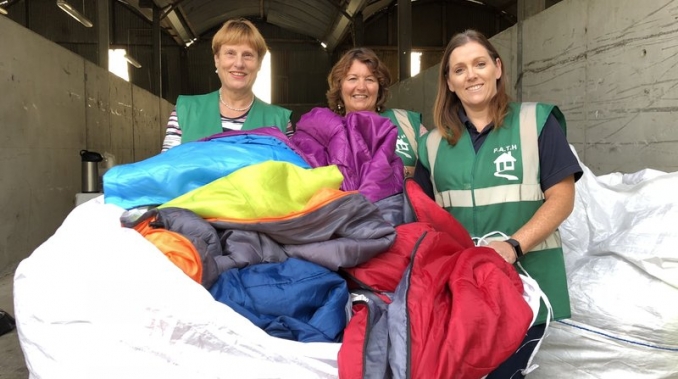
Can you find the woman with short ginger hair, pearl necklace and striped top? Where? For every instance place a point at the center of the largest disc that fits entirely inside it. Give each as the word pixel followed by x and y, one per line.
pixel 238 49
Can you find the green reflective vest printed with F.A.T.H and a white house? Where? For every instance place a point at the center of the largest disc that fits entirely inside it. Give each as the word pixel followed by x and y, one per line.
pixel 498 189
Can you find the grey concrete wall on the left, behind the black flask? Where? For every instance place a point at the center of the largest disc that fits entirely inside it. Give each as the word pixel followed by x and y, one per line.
pixel 54 104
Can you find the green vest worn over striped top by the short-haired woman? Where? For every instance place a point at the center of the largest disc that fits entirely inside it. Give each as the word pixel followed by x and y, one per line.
pixel 199 116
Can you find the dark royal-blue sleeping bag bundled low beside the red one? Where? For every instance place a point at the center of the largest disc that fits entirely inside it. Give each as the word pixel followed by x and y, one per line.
pixel 295 299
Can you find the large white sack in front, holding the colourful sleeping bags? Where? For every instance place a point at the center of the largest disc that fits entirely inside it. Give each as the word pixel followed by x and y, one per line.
pixel 99 301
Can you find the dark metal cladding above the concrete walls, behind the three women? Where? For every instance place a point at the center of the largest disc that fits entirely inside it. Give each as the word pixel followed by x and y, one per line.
pixel 299 64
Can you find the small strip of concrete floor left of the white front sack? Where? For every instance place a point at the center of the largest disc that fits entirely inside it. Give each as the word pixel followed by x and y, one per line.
pixel 12 363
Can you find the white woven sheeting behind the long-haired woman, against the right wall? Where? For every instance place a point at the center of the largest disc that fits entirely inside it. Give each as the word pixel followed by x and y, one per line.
pixel 621 254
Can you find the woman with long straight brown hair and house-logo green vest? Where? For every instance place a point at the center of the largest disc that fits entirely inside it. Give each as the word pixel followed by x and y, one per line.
pixel 505 171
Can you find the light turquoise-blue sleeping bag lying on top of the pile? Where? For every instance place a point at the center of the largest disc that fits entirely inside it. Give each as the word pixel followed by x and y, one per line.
pixel 179 170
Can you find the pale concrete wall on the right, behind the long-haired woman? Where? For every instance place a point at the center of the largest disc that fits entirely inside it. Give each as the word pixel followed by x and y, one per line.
pixel 610 67
